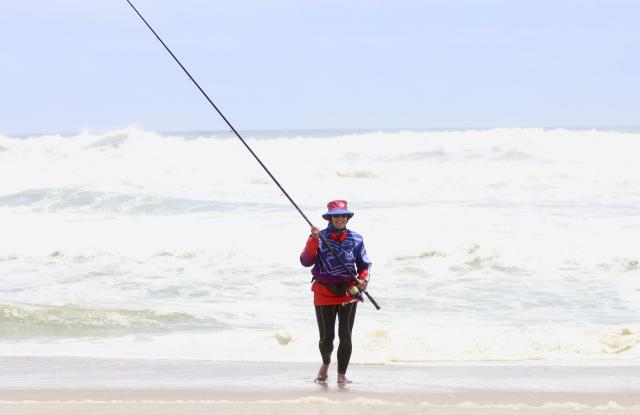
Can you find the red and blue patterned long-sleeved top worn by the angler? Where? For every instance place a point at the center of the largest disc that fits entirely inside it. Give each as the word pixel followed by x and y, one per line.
pixel 349 245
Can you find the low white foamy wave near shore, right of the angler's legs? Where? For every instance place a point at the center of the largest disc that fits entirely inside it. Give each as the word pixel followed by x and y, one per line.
pixel 502 345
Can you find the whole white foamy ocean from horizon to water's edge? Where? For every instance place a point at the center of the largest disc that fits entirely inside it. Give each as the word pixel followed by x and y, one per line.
pixel 500 245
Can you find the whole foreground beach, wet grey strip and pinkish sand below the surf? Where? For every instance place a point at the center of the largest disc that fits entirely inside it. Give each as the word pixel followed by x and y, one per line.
pixel 64 385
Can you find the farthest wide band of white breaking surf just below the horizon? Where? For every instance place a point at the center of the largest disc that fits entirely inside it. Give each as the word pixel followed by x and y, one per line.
pixel 408 165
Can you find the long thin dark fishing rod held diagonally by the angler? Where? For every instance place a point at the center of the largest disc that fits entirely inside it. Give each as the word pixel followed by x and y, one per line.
pixel 250 150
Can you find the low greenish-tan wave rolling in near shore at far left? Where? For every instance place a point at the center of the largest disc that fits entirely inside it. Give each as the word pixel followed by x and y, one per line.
pixel 68 321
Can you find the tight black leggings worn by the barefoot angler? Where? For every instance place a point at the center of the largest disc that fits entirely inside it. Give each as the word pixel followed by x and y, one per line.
pixel 326 316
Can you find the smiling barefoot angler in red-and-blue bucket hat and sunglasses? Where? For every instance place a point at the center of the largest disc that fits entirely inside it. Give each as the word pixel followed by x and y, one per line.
pixel 332 283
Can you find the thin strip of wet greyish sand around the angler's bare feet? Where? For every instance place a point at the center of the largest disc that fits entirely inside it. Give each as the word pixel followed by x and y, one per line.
pixel 58 372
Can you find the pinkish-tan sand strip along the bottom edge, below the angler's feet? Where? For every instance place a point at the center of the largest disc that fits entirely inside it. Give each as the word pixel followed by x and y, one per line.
pixel 192 402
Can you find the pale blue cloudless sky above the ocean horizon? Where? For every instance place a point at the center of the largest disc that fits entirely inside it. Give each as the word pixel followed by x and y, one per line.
pixel 71 65
